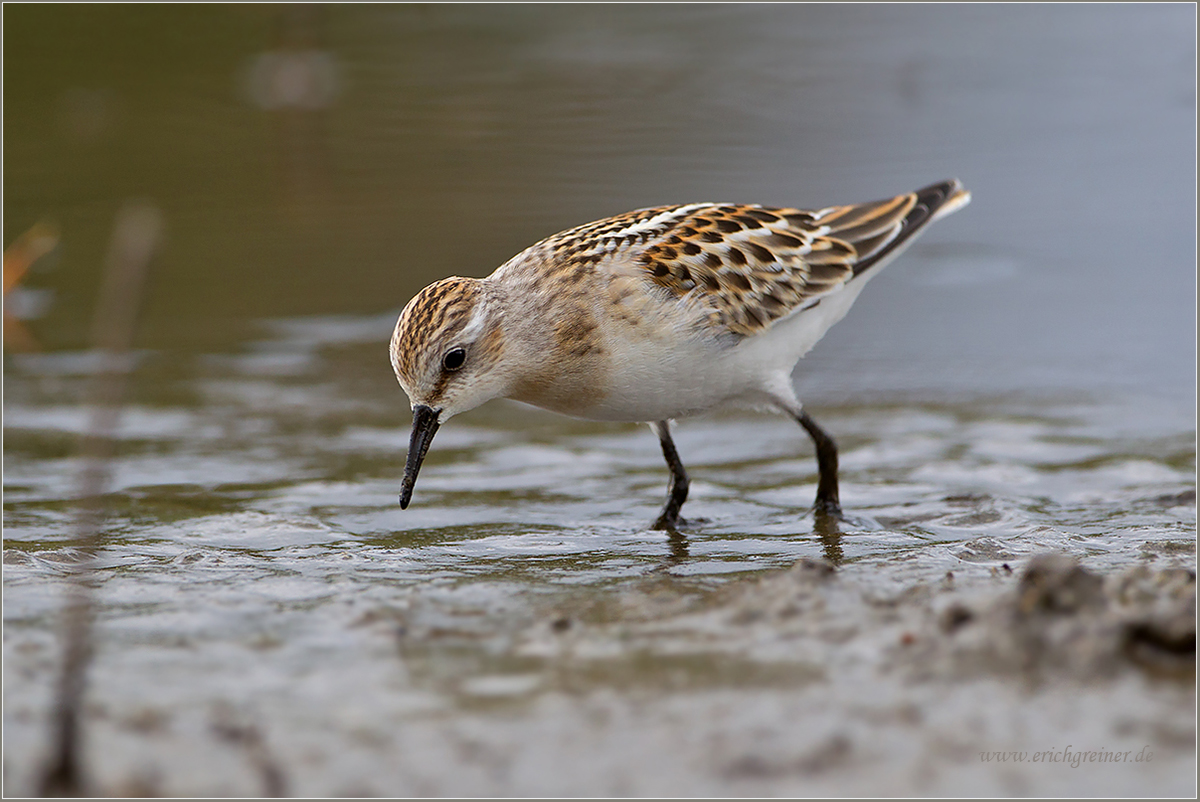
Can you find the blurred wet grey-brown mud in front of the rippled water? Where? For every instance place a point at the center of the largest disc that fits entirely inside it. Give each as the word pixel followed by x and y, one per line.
pixel 799 683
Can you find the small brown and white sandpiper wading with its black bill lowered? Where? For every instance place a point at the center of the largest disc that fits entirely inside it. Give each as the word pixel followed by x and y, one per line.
pixel 655 315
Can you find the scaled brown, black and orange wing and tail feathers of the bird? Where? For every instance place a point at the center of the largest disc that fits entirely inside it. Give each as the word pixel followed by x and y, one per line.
pixel 745 266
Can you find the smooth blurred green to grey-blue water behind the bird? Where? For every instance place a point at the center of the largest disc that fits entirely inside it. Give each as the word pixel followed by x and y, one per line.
pixel 335 159
